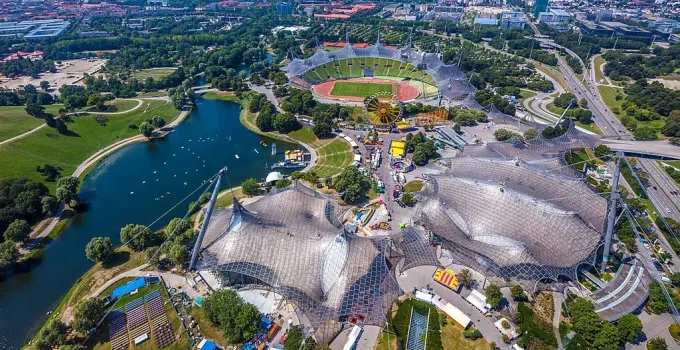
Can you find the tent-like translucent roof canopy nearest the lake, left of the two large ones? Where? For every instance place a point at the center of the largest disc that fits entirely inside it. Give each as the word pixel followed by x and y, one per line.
pixel 293 242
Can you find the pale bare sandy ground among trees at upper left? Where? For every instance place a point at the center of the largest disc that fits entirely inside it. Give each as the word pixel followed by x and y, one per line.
pixel 68 73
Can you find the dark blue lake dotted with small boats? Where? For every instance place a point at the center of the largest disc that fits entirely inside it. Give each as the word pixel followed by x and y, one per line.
pixel 136 184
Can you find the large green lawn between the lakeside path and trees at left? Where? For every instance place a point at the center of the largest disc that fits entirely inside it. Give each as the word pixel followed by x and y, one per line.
pixel 85 137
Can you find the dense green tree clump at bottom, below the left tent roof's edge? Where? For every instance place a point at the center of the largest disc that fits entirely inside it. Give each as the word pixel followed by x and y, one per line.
pixel 238 320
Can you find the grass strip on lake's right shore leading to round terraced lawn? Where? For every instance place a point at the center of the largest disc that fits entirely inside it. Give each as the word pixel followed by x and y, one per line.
pixel 333 154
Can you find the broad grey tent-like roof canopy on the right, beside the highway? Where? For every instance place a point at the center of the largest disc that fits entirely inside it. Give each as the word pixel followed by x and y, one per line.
pixel 514 219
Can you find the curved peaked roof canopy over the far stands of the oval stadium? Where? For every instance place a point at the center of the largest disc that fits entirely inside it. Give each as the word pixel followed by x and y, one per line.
pixel 451 82
